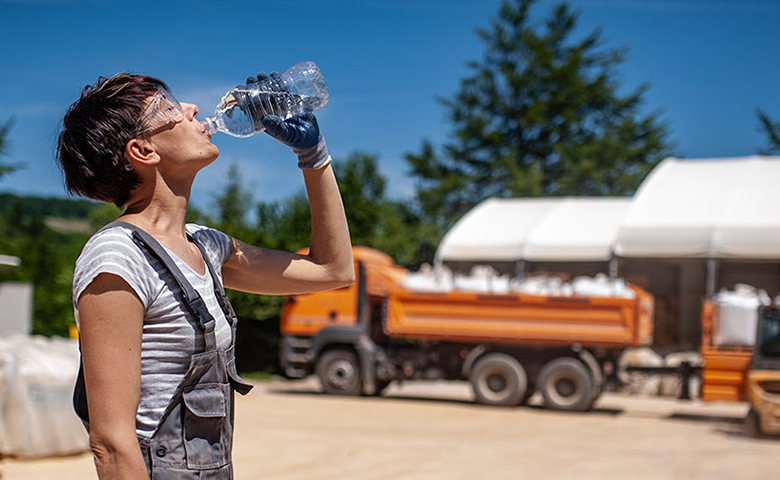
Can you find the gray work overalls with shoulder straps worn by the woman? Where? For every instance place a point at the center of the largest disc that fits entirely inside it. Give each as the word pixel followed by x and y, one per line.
pixel 194 438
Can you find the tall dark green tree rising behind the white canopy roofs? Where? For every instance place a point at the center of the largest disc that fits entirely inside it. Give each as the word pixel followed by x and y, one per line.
pixel 540 114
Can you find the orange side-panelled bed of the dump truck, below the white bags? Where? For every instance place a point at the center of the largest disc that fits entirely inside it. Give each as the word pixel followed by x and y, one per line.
pixel 521 319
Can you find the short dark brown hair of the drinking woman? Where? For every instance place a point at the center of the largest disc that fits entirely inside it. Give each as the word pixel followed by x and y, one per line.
pixel 95 132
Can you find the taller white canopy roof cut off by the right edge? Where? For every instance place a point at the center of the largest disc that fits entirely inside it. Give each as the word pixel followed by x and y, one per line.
pixel 708 209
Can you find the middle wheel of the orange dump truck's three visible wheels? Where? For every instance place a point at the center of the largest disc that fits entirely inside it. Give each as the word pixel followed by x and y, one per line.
pixel 498 379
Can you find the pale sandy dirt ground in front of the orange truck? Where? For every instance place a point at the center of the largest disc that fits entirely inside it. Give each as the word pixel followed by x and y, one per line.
pixel 288 431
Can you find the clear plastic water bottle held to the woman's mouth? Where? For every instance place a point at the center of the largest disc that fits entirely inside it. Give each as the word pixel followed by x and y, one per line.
pixel 301 88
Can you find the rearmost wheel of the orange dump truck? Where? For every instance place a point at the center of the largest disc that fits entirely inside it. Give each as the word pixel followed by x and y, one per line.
pixel 565 384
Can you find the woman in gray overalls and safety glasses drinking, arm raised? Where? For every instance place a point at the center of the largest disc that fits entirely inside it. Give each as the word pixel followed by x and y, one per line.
pixel 158 375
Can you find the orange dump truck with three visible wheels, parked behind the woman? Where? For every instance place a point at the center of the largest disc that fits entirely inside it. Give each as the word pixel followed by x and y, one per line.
pixel 359 339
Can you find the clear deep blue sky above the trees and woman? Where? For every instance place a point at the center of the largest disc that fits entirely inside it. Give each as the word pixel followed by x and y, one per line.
pixel 709 65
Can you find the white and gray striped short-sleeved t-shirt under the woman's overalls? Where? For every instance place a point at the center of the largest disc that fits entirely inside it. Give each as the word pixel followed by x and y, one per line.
pixel 170 334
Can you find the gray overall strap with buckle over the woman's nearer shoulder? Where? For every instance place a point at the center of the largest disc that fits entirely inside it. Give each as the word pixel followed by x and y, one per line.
pixel 192 299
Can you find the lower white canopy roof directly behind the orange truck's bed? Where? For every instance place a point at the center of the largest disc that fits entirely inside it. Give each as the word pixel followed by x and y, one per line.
pixel 536 229
